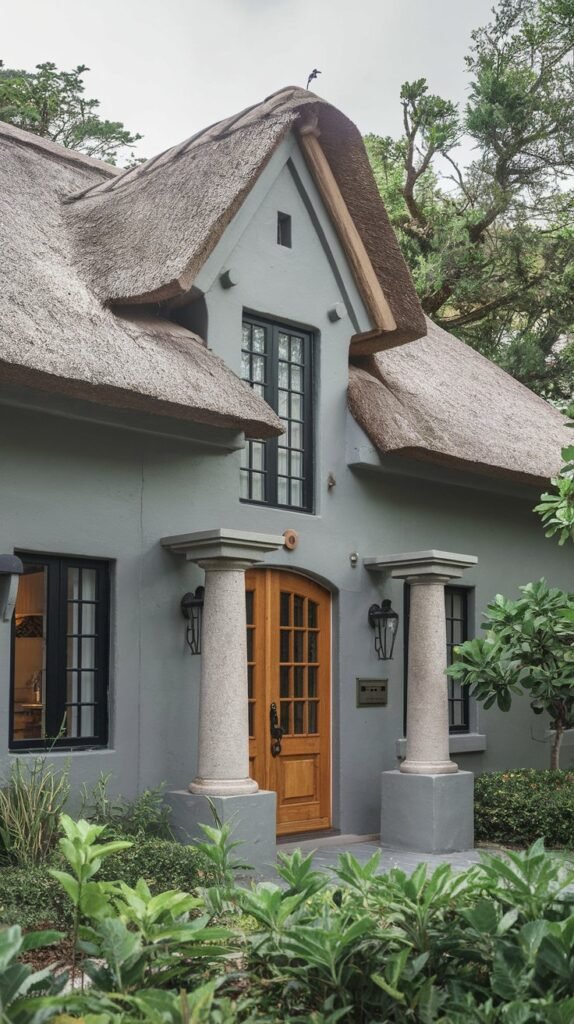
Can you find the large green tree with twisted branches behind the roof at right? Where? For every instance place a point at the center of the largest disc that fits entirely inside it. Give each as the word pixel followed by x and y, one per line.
pixel 492 244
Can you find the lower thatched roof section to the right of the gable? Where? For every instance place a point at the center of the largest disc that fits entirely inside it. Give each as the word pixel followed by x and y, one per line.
pixel 438 400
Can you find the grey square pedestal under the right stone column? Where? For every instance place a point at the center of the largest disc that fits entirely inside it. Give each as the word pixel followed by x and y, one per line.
pixel 428 814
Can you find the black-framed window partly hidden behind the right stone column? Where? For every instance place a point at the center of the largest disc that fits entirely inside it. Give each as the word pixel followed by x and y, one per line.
pixel 457 613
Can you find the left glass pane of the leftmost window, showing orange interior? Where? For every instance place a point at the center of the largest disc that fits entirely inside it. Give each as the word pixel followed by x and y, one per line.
pixel 30 655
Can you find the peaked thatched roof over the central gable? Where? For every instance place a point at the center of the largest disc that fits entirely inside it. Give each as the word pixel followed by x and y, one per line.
pixel 144 236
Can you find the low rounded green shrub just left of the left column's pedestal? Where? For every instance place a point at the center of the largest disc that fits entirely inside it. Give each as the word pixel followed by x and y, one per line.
pixel 162 864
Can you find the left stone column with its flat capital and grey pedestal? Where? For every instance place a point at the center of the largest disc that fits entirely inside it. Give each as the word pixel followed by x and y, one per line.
pixel 224 728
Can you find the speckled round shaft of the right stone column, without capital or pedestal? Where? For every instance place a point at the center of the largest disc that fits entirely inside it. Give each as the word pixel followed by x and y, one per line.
pixel 427 702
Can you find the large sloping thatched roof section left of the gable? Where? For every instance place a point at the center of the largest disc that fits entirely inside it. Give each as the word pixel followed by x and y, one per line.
pixel 56 334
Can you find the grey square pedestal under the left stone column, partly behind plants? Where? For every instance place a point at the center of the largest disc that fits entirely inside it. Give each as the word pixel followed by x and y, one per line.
pixel 253 820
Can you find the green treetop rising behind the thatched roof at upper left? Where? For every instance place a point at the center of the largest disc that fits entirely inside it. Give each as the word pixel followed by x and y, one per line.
pixel 53 104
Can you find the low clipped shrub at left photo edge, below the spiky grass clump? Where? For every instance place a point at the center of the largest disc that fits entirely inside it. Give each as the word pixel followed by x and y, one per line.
pixel 31 899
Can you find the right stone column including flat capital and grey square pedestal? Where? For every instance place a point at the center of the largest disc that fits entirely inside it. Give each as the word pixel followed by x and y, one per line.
pixel 427 805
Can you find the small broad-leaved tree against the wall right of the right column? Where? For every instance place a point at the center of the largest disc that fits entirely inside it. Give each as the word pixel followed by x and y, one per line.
pixel 528 649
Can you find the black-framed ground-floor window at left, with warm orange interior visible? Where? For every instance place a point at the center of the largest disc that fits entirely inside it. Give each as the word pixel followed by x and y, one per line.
pixel 61 653
